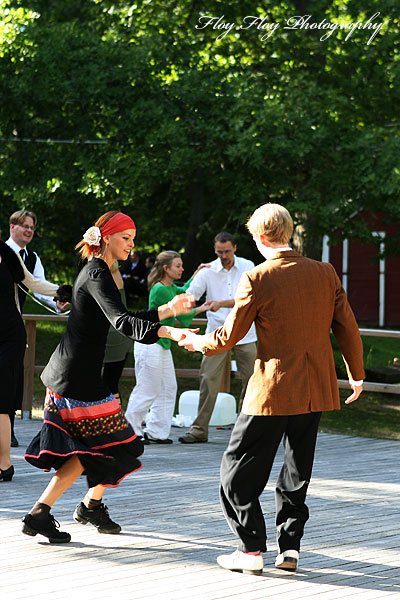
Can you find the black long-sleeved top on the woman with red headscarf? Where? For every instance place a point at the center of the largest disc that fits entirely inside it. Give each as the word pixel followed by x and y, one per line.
pixel 74 369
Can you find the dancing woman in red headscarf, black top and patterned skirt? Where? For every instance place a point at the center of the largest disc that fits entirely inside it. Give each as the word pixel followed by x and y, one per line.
pixel 84 430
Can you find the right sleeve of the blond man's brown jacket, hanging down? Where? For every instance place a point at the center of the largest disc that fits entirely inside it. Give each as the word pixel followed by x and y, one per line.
pixel 345 330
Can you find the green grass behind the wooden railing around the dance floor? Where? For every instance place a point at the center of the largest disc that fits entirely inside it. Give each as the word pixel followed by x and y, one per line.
pixel 373 415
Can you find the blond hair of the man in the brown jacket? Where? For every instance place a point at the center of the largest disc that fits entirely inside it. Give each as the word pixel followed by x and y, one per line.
pixel 273 221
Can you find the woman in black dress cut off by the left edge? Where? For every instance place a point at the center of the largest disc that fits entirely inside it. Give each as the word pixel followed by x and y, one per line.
pixel 12 344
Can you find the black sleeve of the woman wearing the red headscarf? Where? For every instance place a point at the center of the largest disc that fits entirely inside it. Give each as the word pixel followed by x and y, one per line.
pixel 141 326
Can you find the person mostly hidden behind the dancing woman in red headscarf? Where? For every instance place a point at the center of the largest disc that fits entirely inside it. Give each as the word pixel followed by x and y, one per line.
pixel 117 347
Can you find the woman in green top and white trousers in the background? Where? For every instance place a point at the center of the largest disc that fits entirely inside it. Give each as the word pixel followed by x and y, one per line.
pixel 156 385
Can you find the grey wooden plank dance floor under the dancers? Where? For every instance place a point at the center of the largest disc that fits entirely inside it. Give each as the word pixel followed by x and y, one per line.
pixel 173 530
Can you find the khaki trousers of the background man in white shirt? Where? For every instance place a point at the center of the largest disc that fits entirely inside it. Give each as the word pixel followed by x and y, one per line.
pixel 211 371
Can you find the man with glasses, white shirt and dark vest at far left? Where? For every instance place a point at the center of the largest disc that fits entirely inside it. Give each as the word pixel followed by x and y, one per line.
pixel 22 227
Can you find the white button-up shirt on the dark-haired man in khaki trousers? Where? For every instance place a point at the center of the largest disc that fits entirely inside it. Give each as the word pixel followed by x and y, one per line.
pixel 221 284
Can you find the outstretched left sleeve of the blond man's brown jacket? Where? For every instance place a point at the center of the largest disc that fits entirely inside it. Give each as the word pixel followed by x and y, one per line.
pixel 238 322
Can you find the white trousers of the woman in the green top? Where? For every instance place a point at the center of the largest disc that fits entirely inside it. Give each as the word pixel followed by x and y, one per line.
pixel 155 389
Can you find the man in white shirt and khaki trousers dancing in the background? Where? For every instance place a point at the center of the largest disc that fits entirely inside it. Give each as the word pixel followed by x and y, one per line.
pixel 219 283
